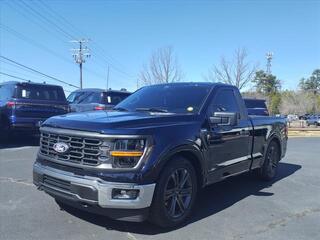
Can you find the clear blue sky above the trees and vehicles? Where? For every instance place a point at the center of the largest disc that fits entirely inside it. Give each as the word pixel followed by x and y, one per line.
pixel 125 33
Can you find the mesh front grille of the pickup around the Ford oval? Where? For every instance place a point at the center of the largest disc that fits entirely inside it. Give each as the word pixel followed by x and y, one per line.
pixel 82 150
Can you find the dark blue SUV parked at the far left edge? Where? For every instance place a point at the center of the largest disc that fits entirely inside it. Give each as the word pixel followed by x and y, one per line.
pixel 25 105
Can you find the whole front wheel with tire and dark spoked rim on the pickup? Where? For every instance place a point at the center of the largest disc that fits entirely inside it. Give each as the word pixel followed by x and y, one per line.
pixel 175 193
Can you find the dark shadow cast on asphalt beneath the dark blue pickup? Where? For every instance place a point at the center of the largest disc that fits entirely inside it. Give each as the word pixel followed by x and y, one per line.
pixel 211 200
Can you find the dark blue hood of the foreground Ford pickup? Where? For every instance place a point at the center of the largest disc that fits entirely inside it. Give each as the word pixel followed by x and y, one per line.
pixel 114 122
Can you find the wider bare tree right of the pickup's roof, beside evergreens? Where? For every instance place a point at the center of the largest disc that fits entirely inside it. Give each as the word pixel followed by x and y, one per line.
pixel 238 72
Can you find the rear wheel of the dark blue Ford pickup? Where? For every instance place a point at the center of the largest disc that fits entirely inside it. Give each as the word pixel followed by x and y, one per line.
pixel 269 168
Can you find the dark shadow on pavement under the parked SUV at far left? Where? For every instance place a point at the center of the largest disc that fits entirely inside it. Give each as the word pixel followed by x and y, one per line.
pixel 21 140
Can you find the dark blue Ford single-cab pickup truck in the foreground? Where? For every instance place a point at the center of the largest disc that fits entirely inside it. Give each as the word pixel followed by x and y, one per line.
pixel 150 156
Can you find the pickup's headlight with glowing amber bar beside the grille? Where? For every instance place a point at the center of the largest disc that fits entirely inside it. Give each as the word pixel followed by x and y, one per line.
pixel 122 153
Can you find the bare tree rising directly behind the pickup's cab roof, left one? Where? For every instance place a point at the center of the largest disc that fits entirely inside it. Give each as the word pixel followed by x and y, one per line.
pixel 163 67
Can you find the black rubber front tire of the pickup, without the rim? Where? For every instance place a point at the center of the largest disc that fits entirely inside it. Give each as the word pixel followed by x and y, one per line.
pixel 159 214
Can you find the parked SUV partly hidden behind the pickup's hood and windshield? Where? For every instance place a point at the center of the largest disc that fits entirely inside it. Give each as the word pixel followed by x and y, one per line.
pixel 90 99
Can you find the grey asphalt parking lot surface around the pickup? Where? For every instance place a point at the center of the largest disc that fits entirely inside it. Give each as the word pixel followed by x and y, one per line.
pixel 239 208
